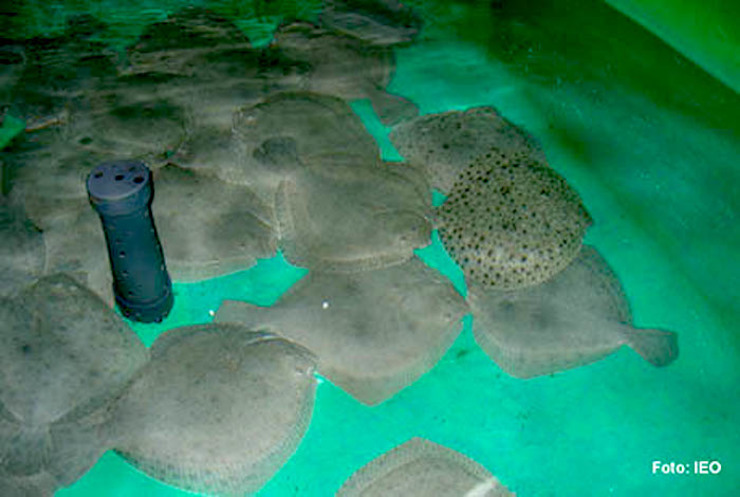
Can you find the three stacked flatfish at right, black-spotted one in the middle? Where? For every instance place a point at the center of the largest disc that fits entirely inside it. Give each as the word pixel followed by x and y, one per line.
pixel 541 301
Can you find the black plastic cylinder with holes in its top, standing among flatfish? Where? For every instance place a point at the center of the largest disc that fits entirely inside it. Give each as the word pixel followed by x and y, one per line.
pixel 121 192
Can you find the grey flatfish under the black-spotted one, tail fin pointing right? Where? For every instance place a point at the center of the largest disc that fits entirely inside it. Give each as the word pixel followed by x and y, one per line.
pixel 578 317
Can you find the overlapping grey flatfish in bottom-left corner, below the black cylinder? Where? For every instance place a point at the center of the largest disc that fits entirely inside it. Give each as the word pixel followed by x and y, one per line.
pixel 210 408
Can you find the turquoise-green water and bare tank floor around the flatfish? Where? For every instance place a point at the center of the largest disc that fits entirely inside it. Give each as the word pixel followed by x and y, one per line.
pixel 652 144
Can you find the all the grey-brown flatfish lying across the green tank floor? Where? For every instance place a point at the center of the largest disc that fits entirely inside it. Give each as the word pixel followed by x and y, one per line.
pixel 252 150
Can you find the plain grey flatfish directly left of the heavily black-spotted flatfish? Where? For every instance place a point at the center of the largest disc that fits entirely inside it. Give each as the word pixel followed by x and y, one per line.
pixel 344 214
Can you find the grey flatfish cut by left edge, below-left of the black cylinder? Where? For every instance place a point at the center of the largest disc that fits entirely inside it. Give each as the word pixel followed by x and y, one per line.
pixel 58 334
